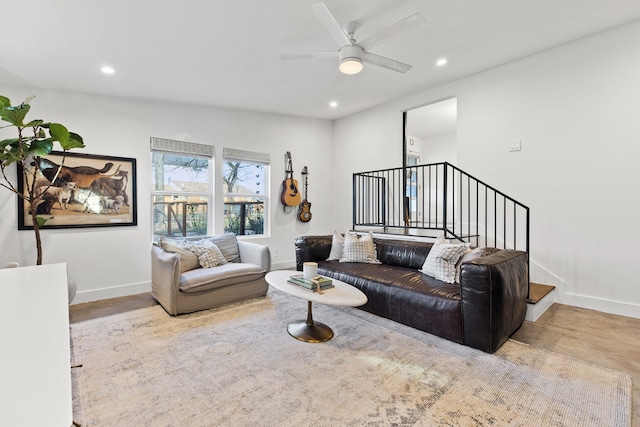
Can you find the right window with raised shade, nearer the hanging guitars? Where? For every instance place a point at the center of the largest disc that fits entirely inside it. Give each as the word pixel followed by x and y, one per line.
pixel 246 190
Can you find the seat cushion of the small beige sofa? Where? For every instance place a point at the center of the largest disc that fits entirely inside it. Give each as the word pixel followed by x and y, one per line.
pixel 204 279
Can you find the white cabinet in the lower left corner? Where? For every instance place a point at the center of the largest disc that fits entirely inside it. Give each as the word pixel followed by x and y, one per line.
pixel 35 366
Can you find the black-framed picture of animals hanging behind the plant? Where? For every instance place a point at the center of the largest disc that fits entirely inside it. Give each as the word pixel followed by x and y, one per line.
pixel 89 191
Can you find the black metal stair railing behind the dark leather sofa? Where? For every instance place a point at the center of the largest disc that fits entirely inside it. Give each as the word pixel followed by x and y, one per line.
pixel 439 197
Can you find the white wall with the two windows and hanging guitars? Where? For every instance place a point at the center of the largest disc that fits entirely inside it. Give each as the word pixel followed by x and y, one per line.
pixel 115 261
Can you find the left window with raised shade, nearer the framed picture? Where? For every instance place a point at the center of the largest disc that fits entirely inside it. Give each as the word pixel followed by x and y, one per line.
pixel 181 189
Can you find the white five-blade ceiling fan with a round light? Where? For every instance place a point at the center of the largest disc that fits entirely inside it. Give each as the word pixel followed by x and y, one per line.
pixel 352 54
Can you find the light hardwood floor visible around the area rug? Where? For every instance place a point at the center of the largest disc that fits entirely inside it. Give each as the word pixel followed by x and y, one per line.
pixel 604 339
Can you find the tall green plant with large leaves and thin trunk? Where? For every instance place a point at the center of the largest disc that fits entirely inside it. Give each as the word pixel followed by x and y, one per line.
pixel 34 140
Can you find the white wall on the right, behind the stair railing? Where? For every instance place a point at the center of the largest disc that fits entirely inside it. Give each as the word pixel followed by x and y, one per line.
pixel 575 109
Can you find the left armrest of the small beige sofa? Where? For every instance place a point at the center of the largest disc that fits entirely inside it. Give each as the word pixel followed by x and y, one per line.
pixel 165 278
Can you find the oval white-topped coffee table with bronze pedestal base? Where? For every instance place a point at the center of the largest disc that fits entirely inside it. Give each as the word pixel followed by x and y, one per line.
pixel 342 294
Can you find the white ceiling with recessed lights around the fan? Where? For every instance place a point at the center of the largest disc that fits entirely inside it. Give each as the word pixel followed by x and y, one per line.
pixel 226 54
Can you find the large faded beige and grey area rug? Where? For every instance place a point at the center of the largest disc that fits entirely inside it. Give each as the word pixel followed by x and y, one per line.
pixel 237 366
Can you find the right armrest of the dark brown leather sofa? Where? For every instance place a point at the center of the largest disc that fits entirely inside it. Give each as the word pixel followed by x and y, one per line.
pixel 493 292
